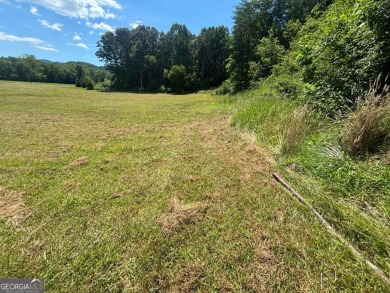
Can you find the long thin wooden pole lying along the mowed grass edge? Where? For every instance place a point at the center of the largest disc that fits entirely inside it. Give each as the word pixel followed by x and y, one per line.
pixel 332 231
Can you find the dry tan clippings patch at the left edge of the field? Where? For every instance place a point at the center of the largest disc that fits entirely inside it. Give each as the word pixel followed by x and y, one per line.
pixel 12 206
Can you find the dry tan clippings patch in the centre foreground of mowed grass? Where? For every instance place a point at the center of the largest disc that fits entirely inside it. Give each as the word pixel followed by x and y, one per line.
pixel 180 214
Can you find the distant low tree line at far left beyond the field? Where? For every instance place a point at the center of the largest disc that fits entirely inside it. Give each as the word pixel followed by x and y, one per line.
pixel 28 68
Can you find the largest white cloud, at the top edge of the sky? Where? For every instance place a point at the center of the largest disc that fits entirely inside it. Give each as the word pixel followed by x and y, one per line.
pixel 80 8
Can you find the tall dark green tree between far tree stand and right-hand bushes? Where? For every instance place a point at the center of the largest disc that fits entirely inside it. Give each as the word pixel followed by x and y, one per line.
pixel 253 20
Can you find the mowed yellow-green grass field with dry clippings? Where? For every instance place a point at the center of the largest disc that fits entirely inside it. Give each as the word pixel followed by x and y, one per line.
pixel 122 192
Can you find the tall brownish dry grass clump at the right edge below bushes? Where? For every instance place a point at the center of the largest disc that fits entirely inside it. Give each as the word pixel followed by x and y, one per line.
pixel 368 127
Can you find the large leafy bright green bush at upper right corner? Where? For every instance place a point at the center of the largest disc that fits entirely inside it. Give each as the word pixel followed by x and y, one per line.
pixel 341 53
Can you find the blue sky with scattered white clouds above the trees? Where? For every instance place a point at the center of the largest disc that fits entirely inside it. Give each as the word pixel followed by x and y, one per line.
pixel 68 30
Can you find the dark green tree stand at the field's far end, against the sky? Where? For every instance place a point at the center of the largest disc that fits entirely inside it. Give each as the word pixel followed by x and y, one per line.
pixel 144 58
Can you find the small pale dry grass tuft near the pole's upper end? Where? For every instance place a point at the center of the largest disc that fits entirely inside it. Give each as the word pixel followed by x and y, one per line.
pixel 293 130
